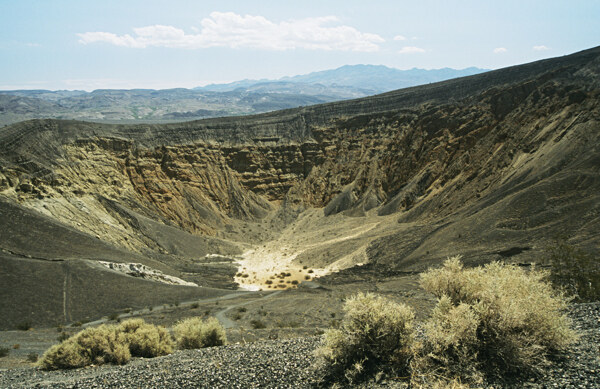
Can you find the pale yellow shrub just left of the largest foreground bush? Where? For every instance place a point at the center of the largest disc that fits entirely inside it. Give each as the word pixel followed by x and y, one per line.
pixel 376 334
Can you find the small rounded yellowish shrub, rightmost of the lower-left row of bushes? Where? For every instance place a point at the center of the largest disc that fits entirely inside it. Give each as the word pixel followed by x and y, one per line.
pixel 194 333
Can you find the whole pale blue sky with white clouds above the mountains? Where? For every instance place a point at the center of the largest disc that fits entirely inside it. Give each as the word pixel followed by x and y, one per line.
pixel 67 44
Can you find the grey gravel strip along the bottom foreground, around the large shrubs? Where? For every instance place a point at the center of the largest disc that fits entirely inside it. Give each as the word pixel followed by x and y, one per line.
pixel 283 364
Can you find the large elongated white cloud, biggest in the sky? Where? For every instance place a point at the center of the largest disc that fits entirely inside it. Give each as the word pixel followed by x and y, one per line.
pixel 227 29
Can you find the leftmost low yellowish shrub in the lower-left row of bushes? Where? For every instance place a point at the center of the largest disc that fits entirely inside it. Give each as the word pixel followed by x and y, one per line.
pixel 98 345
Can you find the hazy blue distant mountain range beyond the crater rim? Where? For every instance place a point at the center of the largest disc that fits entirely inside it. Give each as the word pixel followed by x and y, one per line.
pixel 236 98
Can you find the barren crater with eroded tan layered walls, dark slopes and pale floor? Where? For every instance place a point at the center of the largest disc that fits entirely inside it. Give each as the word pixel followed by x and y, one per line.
pixel 492 166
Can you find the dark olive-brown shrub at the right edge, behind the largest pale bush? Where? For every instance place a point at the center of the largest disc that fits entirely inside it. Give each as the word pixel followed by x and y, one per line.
pixel 574 270
